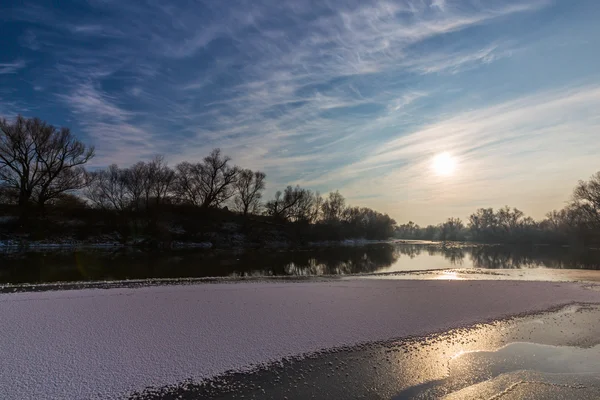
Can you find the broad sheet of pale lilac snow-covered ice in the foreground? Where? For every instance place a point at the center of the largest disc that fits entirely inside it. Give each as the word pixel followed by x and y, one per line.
pixel 98 343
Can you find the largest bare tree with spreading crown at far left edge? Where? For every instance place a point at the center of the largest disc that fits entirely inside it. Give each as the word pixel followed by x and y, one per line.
pixel 38 159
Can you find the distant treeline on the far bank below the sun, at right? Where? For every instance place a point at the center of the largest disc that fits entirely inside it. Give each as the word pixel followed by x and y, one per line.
pixel 576 224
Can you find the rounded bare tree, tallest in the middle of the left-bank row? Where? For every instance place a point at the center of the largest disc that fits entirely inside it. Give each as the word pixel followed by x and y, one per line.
pixel 207 184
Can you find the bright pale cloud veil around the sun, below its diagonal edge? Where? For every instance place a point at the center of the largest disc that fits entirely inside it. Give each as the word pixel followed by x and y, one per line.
pixel 527 152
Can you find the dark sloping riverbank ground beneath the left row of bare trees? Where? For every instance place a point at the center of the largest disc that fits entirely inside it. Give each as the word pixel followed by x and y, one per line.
pixel 171 226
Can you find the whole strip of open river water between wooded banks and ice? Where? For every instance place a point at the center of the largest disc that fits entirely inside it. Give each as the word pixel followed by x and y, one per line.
pixel 53 266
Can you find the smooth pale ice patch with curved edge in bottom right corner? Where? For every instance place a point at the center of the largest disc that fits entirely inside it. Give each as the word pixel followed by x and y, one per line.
pixel 489 374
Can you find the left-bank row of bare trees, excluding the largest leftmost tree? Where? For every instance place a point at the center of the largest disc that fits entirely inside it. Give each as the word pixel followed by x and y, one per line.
pixel 215 184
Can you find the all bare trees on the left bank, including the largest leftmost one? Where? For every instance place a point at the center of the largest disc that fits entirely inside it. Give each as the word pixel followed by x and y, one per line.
pixel 42 166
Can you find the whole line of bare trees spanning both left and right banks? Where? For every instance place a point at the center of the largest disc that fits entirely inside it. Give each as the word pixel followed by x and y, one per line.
pixel 41 165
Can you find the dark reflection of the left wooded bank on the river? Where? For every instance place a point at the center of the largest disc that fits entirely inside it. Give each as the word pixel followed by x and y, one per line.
pixel 69 266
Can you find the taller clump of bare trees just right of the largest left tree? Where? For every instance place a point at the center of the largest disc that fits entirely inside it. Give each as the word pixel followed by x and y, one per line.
pixel 210 183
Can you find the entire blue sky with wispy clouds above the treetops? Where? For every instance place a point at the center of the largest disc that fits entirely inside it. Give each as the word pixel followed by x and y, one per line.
pixel 355 96
